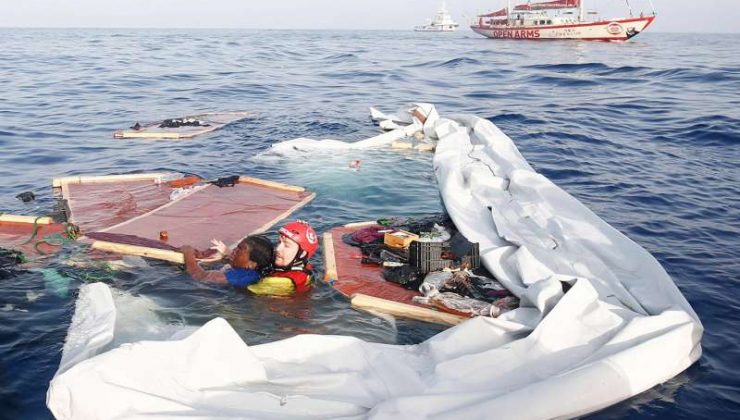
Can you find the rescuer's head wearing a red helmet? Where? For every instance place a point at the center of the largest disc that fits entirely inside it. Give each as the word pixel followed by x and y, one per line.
pixel 296 244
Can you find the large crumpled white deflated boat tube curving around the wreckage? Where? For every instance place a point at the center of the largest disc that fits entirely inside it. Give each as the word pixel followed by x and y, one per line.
pixel 621 328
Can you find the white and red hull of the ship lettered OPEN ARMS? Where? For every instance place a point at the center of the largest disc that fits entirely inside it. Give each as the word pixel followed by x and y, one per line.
pixel 608 30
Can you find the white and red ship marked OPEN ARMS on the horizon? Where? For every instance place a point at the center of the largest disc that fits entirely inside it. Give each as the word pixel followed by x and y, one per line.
pixel 558 19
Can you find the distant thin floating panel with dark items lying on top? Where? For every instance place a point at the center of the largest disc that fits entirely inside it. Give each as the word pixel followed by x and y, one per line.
pixel 209 122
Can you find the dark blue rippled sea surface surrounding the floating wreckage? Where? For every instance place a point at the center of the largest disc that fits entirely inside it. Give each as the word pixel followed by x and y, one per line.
pixel 645 133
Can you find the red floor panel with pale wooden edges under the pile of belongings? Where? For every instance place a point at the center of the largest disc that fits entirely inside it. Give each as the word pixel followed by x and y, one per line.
pixel 365 286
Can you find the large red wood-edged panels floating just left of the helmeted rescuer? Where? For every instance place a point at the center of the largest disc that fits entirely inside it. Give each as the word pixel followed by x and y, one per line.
pixel 140 215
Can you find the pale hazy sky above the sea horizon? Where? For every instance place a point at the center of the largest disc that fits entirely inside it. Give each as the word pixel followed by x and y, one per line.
pixel 712 16
